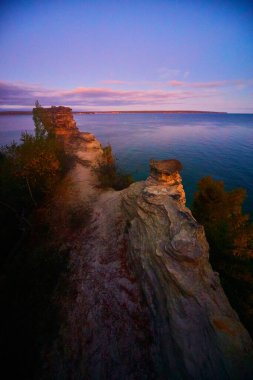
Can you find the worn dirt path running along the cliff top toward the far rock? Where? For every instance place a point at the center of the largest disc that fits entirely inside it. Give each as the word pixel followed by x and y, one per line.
pixel 107 333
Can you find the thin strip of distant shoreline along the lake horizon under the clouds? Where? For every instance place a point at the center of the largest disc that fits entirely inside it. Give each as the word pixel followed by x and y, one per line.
pixel 9 113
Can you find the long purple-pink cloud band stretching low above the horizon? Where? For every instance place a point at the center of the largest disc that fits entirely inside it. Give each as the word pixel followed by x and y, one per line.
pixel 22 94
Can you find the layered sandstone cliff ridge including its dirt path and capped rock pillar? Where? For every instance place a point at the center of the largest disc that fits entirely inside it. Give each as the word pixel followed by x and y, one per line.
pixel 143 300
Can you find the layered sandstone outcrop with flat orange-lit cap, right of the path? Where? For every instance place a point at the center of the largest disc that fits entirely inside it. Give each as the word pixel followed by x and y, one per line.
pixel 199 336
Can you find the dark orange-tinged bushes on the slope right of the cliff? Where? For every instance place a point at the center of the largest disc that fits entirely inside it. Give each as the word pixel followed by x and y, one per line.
pixel 230 235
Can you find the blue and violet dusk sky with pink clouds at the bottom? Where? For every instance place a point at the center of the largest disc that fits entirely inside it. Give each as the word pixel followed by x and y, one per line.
pixel 127 55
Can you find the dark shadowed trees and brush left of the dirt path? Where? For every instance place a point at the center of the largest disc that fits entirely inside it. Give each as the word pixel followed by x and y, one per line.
pixel 32 265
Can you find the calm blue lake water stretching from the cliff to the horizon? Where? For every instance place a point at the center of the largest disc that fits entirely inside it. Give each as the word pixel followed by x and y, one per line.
pixel 216 145
